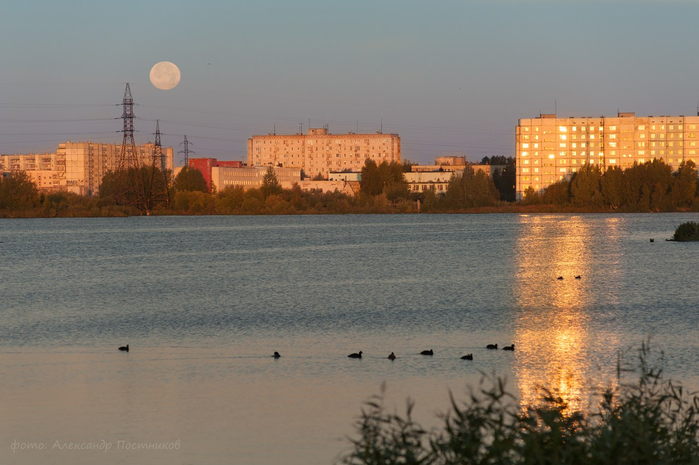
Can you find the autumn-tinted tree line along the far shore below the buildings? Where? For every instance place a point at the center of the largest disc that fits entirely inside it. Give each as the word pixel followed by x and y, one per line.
pixel 651 186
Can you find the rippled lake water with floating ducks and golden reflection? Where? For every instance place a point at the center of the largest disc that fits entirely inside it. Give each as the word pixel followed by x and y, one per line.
pixel 203 302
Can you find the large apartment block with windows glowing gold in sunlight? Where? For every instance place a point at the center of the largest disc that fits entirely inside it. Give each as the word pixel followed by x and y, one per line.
pixel 549 149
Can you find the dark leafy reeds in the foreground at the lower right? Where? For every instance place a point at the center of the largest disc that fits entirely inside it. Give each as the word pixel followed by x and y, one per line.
pixel 649 421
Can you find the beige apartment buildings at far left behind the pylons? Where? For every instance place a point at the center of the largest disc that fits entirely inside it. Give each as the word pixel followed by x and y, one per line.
pixel 76 166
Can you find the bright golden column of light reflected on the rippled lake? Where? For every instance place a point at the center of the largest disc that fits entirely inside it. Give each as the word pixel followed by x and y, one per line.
pixel 552 325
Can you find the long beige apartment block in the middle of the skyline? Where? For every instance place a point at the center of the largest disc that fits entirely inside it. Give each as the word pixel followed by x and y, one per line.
pixel 320 152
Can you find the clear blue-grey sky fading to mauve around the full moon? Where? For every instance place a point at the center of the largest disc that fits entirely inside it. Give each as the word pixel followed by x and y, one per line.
pixel 449 76
